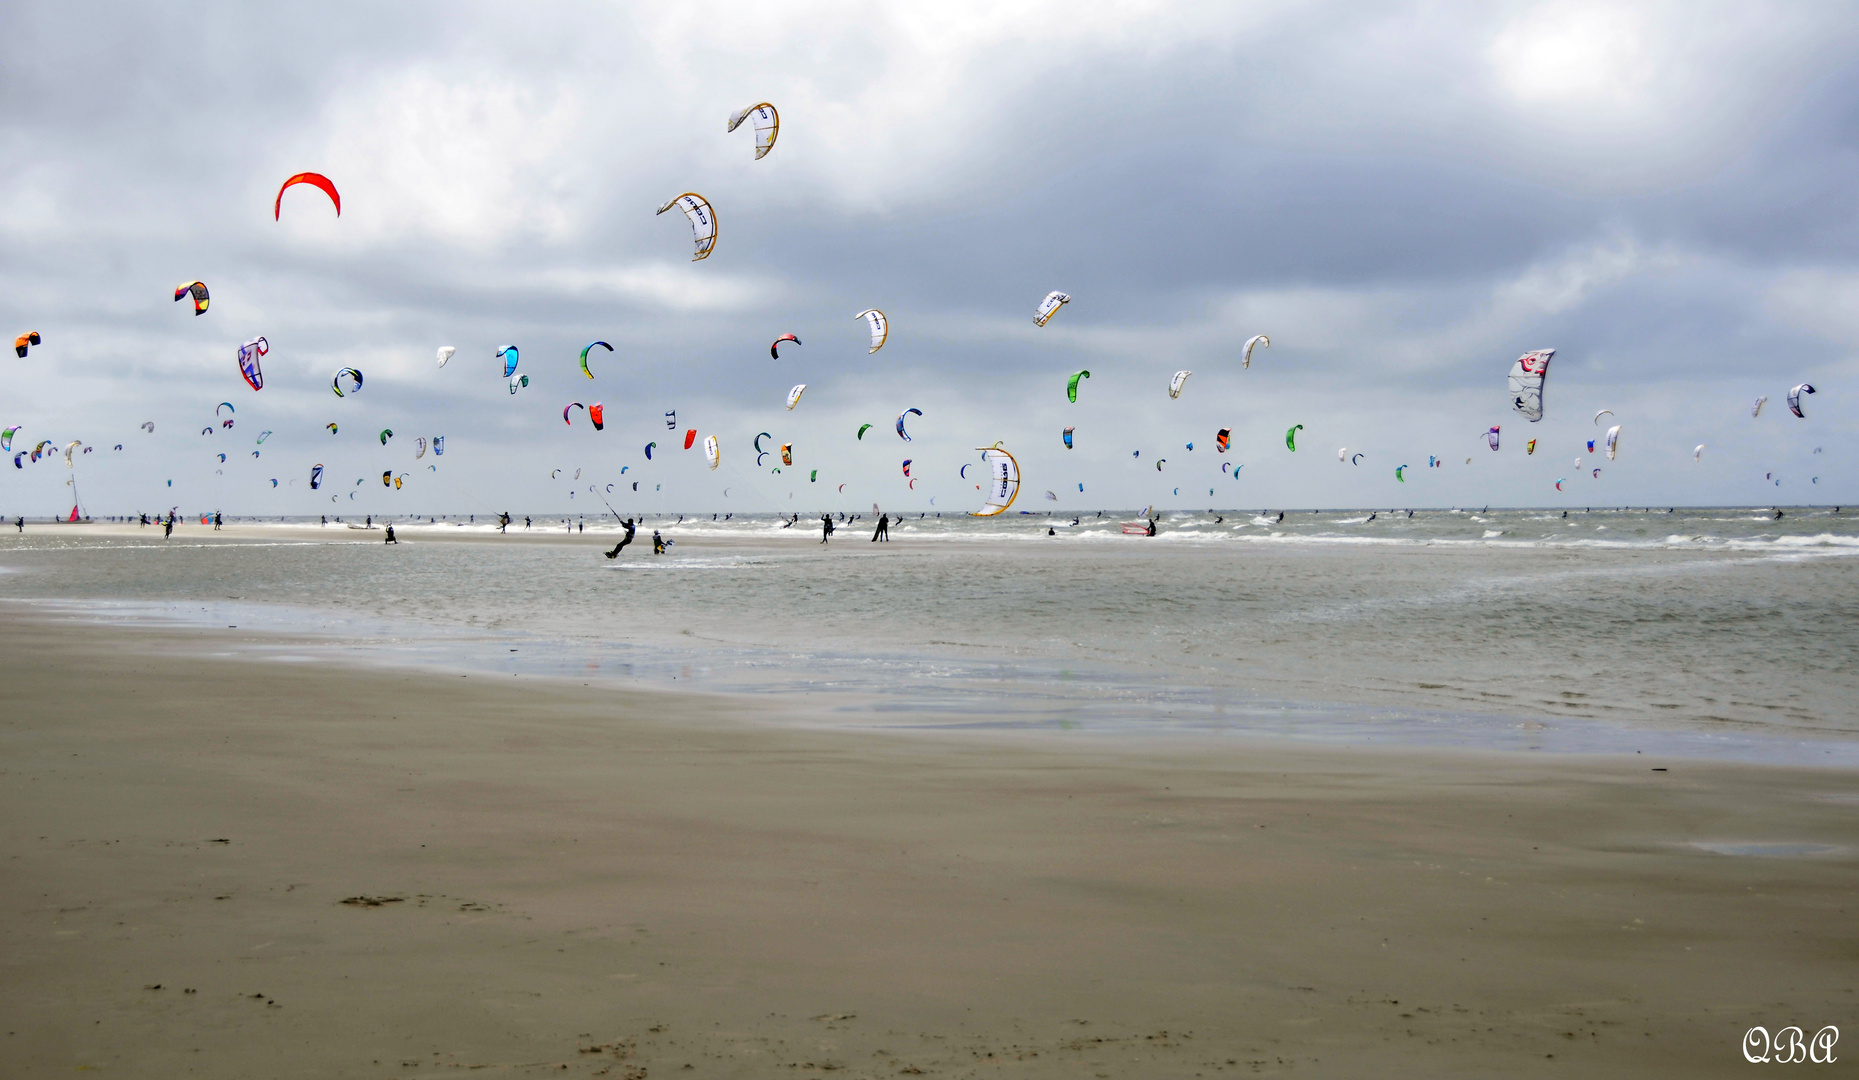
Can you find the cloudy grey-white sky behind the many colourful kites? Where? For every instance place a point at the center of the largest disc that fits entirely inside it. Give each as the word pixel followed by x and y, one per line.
pixel 1403 198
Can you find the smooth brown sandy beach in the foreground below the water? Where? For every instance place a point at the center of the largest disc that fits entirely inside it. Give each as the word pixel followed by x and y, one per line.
pixel 226 867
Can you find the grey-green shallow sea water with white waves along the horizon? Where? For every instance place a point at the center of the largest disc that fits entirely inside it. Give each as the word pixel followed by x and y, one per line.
pixel 1721 633
